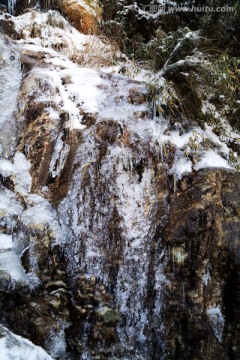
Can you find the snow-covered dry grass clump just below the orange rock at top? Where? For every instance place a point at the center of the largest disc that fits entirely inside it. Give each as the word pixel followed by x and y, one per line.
pixel 51 32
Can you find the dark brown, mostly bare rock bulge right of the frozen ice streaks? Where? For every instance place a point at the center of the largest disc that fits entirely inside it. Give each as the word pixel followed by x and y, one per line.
pixel 202 238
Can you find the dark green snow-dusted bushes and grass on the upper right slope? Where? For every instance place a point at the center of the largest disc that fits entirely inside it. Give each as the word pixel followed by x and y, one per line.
pixel 197 54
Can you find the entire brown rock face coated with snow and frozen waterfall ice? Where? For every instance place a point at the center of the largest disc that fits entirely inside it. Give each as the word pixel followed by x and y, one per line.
pixel 123 243
